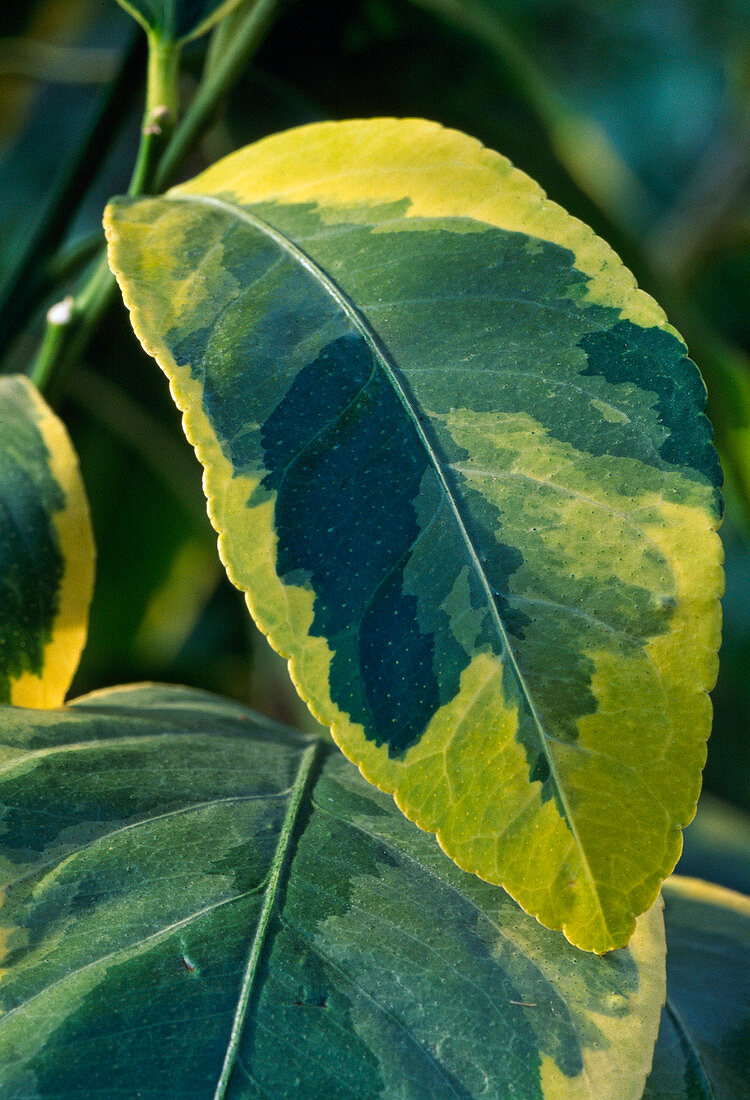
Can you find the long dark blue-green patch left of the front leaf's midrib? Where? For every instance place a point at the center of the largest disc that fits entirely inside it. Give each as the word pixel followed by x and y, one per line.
pixel 338 436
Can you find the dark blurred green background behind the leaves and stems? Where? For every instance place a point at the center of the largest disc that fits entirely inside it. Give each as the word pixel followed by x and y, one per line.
pixel 635 115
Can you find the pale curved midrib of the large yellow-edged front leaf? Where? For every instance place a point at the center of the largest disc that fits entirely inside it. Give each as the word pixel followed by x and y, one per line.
pixel 381 357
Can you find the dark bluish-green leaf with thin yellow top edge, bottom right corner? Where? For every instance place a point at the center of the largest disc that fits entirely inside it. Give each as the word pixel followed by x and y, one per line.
pixel 703 1052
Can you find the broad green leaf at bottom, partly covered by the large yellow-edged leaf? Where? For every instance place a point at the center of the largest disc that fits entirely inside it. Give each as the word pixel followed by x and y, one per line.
pixel 198 904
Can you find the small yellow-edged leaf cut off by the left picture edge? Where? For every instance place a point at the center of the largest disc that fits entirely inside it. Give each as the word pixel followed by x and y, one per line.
pixel 47 551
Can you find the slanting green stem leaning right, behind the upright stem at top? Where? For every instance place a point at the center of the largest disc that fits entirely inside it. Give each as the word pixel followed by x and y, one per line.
pixel 225 68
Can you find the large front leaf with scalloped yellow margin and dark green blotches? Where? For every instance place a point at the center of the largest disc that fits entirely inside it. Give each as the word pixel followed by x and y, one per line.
pixel 460 466
